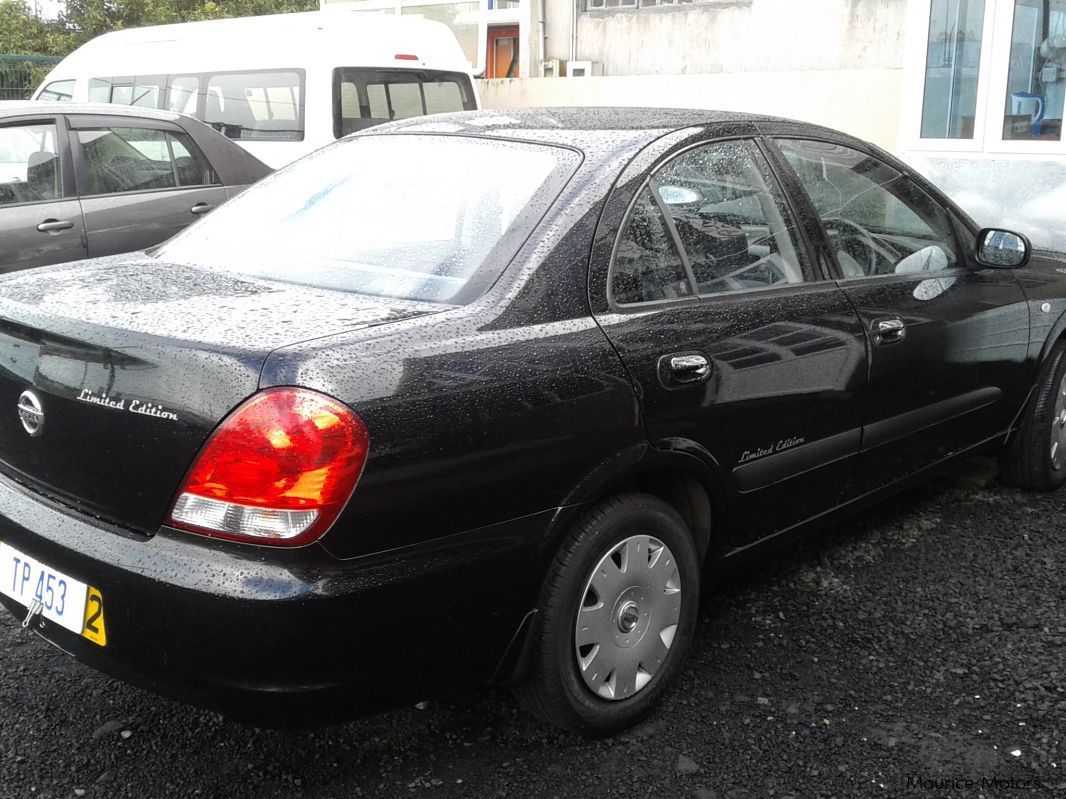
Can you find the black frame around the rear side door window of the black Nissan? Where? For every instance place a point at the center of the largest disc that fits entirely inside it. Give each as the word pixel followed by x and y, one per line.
pixel 778 187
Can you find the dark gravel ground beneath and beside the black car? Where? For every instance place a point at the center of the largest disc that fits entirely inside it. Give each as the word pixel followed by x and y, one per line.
pixel 903 654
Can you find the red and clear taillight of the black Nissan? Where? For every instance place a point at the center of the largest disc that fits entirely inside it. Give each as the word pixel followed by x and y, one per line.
pixel 278 471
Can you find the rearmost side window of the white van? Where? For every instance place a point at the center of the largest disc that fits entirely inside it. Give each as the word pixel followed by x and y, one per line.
pixel 256 106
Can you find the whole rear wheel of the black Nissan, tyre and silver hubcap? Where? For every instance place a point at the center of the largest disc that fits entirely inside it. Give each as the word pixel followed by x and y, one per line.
pixel 651 595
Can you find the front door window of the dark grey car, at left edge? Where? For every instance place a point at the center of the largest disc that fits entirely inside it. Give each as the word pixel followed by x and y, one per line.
pixel 30 169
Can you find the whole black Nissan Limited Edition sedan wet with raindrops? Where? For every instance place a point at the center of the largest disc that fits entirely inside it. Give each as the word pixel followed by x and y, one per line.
pixel 482 398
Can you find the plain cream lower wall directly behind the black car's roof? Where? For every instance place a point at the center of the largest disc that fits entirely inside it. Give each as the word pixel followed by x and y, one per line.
pixel 864 103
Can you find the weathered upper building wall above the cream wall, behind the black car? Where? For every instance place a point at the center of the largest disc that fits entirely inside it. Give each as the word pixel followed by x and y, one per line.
pixel 734 37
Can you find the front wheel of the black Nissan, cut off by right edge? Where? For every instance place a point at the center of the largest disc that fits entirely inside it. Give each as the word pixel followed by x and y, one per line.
pixel 1037 461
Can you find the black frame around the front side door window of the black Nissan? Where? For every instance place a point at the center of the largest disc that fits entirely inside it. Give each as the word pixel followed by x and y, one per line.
pixel 955 218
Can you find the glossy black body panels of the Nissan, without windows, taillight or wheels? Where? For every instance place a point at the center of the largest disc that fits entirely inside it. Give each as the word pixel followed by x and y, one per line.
pixel 494 426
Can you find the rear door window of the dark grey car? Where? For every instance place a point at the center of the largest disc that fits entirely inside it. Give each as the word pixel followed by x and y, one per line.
pixel 140 159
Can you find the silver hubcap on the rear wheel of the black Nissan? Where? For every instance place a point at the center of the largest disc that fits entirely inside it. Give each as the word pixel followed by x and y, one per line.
pixel 631 608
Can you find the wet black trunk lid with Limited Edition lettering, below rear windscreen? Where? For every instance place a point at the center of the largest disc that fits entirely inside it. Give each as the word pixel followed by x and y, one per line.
pixel 134 363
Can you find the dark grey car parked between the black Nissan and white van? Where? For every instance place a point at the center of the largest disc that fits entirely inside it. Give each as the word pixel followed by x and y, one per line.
pixel 80 182
